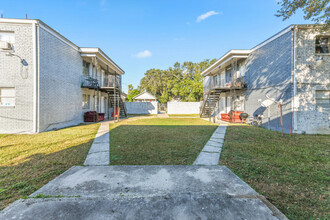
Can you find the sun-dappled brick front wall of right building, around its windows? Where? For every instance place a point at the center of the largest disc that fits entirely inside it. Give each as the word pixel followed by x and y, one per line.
pixel 309 79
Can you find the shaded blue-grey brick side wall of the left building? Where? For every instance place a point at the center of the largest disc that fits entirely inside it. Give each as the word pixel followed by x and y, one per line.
pixel 60 81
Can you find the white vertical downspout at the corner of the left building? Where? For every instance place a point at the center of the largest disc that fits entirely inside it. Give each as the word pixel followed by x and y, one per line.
pixel 35 35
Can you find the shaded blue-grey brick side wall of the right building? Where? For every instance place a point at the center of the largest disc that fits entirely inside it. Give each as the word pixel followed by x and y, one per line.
pixel 268 72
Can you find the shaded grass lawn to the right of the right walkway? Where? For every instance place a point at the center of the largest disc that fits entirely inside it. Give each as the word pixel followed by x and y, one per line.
pixel 291 171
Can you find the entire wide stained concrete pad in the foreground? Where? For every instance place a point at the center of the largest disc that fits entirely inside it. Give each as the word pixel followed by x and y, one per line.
pixel 144 192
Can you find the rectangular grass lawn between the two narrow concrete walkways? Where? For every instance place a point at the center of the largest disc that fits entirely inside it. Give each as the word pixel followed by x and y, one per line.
pixel 158 141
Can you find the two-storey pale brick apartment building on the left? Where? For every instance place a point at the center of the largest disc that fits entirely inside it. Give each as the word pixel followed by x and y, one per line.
pixel 48 82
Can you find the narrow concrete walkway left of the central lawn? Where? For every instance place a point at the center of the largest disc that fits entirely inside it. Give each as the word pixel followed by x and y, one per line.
pixel 99 153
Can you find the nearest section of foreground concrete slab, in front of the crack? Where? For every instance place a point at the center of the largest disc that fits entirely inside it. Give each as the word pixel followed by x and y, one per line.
pixel 183 206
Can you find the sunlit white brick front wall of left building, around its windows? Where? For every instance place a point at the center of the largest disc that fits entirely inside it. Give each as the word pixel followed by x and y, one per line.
pixel 18 119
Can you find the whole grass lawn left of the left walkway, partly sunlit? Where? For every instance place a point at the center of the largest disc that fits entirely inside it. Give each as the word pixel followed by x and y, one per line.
pixel 27 162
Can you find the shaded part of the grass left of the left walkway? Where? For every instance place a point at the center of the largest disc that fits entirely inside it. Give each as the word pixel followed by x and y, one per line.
pixel 21 179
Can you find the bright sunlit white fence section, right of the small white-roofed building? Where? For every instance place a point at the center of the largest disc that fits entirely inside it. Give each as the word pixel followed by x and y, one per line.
pixel 181 108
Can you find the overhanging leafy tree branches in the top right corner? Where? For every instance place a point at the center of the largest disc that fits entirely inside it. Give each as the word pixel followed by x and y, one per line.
pixel 316 10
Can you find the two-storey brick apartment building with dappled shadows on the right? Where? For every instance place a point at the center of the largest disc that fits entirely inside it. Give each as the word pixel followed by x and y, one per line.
pixel 293 67
